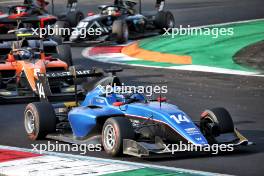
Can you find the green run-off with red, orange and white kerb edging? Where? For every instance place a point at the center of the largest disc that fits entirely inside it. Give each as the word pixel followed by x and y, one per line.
pixel 204 52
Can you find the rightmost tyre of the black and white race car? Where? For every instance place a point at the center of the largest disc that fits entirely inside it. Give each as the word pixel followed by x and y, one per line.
pixel 164 20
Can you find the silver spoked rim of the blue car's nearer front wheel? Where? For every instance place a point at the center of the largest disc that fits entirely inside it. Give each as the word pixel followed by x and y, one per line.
pixel 109 137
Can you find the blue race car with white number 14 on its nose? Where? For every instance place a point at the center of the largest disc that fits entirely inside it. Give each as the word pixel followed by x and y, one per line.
pixel 128 123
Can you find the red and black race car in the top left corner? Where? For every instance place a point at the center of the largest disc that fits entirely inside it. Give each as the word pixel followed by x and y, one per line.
pixel 28 15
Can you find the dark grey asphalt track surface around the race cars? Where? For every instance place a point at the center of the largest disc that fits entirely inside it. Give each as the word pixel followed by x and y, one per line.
pixel 192 91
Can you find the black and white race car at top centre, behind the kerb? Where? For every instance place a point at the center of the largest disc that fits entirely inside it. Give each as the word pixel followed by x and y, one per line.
pixel 119 22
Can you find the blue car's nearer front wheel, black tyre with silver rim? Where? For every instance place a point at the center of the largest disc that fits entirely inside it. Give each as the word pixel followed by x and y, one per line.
pixel 114 131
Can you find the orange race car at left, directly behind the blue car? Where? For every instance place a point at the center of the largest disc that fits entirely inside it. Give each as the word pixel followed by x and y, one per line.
pixel 21 66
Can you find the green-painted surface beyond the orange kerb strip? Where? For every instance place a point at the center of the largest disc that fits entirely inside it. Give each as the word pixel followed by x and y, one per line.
pixel 206 50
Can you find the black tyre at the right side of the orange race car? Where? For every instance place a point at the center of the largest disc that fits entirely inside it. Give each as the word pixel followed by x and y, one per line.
pixel 64 54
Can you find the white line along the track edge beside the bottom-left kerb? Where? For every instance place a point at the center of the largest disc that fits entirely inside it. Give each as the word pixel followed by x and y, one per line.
pixel 115 161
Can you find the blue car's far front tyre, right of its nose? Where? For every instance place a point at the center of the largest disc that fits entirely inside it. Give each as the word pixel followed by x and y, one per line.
pixel 215 122
